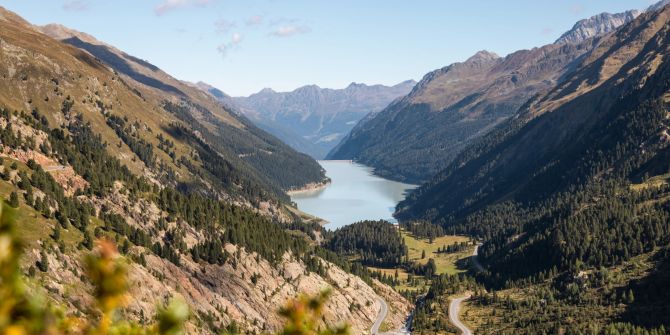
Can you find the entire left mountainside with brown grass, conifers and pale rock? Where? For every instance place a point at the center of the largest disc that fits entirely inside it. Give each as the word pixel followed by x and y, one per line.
pixel 87 153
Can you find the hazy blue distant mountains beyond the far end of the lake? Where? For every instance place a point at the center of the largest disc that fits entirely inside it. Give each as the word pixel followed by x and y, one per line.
pixel 312 119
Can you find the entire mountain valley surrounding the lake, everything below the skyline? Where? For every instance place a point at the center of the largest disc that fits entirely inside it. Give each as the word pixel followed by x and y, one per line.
pixel 554 161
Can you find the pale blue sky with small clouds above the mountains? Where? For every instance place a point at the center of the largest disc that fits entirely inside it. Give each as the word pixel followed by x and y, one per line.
pixel 242 46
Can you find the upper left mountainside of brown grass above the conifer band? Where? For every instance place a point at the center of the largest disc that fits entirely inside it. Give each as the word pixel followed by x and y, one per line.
pixel 133 105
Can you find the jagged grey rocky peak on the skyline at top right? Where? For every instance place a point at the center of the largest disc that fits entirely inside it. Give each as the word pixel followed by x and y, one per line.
pixel 596 25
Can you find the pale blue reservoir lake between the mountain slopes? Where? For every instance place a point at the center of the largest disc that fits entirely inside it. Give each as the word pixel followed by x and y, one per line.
pixel 354 194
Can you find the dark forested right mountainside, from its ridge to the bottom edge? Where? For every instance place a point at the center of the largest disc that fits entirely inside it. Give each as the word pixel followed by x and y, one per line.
pixel 571 199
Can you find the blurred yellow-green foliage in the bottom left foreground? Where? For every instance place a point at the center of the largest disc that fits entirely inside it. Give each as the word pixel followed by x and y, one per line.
pixel 23 312
